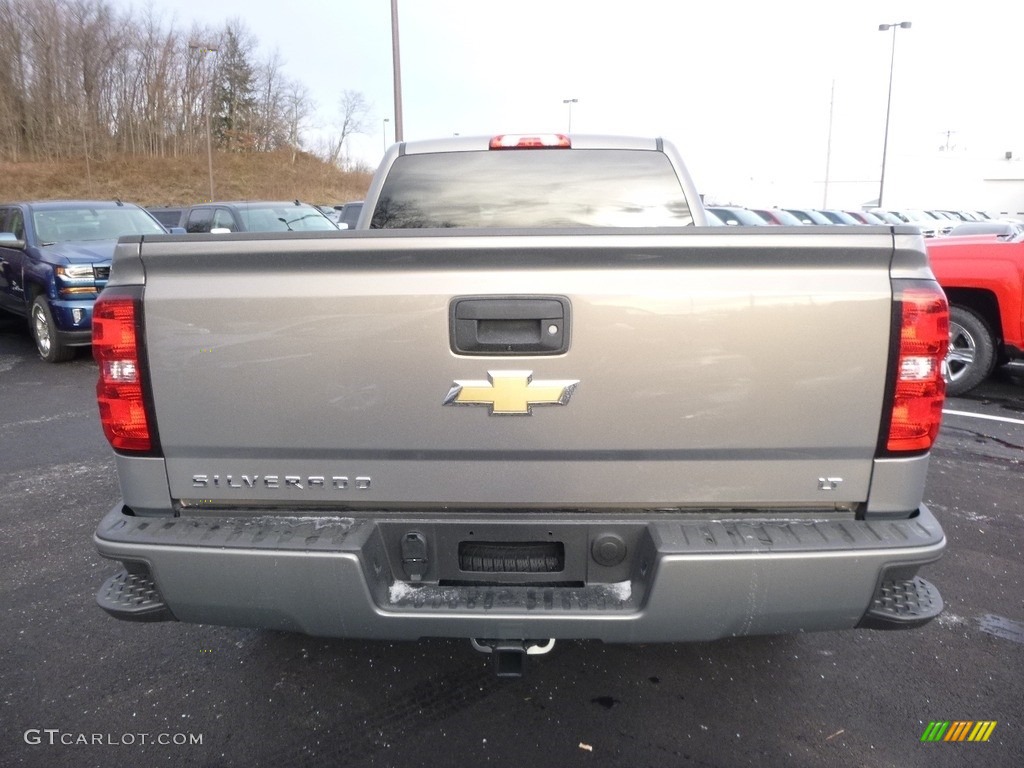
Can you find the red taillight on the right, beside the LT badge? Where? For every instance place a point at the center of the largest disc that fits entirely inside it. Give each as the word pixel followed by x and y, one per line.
pixel 918 387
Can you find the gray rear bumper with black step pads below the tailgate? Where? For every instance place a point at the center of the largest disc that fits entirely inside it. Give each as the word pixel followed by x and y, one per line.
pixel 673 579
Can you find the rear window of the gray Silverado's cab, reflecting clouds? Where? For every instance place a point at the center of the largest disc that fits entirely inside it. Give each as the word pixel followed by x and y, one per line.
pixel 532 189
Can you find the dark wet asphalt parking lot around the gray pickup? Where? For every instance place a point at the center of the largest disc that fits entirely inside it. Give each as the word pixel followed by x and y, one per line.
pixel 82 690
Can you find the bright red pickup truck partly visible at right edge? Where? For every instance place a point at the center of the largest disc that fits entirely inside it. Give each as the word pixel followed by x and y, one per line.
pixel 984 278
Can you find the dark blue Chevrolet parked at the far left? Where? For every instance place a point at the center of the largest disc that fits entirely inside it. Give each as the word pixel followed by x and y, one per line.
pixel 56 259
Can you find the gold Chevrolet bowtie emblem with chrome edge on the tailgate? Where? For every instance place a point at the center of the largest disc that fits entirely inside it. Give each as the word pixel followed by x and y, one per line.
pixel 511 393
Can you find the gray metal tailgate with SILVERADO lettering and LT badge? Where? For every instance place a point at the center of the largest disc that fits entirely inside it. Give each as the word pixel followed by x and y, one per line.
pixel 703 369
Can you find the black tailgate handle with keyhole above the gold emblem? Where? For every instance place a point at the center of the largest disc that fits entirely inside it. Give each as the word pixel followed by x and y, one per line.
pixel 509 325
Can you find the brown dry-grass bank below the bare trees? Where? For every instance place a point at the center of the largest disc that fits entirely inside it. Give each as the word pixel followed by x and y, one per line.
pixel 162 182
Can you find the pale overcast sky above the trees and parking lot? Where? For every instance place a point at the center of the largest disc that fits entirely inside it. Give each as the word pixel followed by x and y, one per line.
pixel 744 89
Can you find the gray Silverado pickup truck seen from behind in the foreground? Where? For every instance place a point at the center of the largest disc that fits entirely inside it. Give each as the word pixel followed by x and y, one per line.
pixel 531 397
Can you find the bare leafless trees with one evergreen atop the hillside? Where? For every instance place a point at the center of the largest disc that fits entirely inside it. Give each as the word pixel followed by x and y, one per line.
pixel 82 79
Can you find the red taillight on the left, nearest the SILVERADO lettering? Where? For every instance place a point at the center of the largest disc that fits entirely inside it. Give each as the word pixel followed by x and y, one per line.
pixel 121 390
